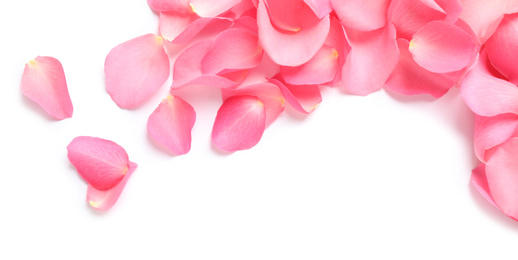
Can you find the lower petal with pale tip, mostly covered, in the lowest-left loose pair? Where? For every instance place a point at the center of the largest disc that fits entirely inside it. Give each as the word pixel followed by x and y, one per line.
pixel 105 199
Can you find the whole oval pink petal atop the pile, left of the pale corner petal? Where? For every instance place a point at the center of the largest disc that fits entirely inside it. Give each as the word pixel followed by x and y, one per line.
pixel 442 47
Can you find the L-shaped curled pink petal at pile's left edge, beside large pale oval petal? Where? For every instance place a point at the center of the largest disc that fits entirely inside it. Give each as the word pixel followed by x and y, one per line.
pixel 187 70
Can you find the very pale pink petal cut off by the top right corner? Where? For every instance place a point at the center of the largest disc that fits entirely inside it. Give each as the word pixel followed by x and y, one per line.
pixel 484 16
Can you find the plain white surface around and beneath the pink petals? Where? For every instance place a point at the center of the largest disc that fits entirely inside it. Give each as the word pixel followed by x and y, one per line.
pixel 372 177
